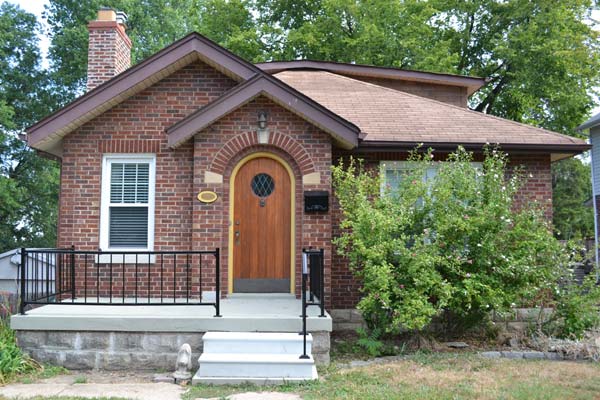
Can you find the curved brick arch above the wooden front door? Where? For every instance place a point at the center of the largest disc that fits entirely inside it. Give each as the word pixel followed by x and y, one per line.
pixel 247 140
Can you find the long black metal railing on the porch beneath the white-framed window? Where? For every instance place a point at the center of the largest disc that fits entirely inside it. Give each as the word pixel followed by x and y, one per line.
pixel 69 276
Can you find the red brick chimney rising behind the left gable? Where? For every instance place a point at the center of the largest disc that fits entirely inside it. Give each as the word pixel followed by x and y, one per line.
pixel 109 51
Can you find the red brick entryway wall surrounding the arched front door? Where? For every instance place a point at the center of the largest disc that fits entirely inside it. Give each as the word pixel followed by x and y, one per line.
pixel 220 147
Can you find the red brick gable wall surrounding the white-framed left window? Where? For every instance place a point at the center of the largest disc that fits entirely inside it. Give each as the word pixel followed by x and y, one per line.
pixel 137 126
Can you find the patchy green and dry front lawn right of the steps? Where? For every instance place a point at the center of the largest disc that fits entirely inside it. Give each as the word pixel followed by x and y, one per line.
pixel 443 376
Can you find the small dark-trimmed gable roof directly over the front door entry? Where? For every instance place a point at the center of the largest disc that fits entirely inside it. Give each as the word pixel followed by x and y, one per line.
pixel 344 132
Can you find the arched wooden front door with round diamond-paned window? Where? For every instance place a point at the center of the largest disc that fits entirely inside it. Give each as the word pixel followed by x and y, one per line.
pixel 262 221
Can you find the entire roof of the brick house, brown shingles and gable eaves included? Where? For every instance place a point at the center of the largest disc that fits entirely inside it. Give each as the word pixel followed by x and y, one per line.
pixel 346 108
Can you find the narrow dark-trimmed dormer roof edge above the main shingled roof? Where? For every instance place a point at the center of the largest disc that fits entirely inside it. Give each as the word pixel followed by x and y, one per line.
pixel 472 84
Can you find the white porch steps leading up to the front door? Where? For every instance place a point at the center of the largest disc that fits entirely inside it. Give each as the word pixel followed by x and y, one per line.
pixel 256 357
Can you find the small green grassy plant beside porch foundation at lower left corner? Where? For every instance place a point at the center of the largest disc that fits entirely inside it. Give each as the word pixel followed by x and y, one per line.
pixel 12 360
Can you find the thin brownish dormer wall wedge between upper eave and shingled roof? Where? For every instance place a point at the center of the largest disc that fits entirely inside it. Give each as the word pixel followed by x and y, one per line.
pixel 447 94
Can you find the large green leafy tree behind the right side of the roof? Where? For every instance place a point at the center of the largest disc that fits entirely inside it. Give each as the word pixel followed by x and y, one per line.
pixel 540 57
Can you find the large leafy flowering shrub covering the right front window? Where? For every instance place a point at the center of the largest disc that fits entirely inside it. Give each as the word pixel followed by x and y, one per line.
pixel 455 243
